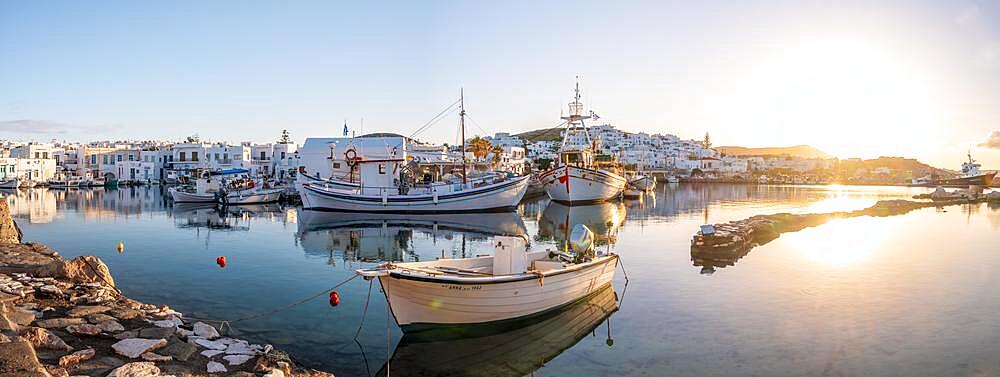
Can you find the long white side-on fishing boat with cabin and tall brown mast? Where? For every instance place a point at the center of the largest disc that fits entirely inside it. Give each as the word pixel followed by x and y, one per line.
pixel 387 183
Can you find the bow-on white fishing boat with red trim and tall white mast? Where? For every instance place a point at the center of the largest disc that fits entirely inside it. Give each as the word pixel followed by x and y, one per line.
pixel 577 178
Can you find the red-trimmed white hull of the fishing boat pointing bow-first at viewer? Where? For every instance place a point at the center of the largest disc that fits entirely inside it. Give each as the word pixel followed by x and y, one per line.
pixel 576 185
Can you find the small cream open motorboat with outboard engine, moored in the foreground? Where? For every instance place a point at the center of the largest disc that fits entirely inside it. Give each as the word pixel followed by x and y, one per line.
pixel 511 285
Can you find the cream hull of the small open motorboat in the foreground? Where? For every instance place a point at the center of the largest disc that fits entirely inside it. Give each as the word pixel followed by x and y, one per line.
pixel 420 303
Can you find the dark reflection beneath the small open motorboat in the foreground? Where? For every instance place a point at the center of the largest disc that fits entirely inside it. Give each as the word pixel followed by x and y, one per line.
pixel 516 349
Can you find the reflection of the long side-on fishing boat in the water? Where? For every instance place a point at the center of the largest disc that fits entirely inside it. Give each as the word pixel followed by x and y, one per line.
pixel 388 237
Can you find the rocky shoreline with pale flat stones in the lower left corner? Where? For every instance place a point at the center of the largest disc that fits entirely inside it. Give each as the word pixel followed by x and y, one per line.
pixel 67 318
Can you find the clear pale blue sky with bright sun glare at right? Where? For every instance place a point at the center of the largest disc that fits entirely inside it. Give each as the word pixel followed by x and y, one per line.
pixel 919 79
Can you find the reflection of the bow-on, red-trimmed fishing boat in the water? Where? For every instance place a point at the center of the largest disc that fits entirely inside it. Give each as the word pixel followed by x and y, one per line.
pixel 603 219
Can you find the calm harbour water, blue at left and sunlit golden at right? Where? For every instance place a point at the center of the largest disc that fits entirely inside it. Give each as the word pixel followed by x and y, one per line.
pixel 911 295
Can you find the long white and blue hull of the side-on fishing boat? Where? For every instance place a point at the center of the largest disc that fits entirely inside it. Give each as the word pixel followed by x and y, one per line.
pixel 501 196
